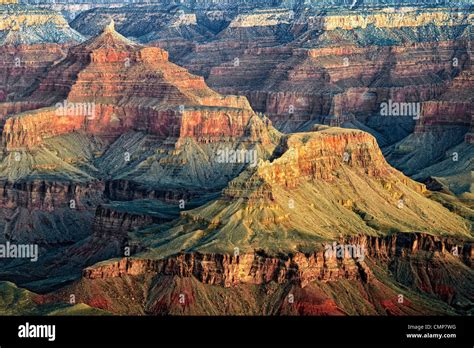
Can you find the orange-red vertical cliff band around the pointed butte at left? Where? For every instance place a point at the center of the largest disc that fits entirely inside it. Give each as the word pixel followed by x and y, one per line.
pixel 203 124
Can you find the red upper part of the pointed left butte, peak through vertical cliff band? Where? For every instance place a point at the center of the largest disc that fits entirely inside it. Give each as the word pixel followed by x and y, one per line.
pixel 126 86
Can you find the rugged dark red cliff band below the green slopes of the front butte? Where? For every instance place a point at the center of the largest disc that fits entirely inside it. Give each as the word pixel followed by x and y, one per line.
pixel 257 268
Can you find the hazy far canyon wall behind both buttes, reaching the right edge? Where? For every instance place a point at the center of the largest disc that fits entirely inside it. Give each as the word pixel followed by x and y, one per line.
pixel 360 57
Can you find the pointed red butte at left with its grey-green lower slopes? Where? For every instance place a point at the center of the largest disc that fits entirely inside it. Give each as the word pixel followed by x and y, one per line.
pixel 148 128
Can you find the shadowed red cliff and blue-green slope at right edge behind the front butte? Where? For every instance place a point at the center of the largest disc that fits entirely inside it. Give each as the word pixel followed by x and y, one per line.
pixel 440 146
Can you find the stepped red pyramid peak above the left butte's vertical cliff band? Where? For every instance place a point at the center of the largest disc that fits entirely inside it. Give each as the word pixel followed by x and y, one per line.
pixel 118 60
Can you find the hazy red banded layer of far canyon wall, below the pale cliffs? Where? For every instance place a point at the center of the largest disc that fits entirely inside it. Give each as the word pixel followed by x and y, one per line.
pixel 277 80
